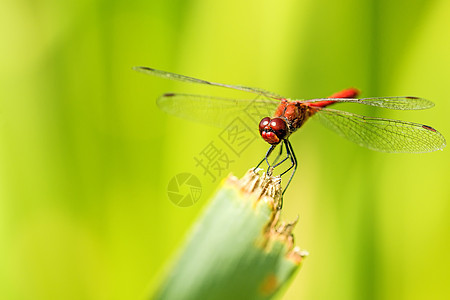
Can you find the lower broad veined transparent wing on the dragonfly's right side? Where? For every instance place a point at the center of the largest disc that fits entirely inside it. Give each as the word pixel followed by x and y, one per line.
pixel 382 134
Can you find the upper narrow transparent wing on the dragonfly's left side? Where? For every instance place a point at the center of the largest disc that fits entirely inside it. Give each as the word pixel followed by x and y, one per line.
pixel 179 77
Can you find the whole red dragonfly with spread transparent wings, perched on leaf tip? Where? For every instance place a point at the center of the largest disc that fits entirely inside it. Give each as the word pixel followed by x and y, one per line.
pixel 287 115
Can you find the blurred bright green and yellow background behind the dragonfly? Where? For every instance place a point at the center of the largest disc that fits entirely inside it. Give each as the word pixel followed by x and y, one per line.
pixel 86 155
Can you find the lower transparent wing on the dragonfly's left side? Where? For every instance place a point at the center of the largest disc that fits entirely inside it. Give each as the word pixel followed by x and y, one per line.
pixel 215 111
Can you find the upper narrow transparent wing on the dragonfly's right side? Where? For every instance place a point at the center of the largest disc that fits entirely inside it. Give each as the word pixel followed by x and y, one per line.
pixel 399 103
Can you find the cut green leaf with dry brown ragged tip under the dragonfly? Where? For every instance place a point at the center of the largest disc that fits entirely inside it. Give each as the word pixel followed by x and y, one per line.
pixel 237 249
